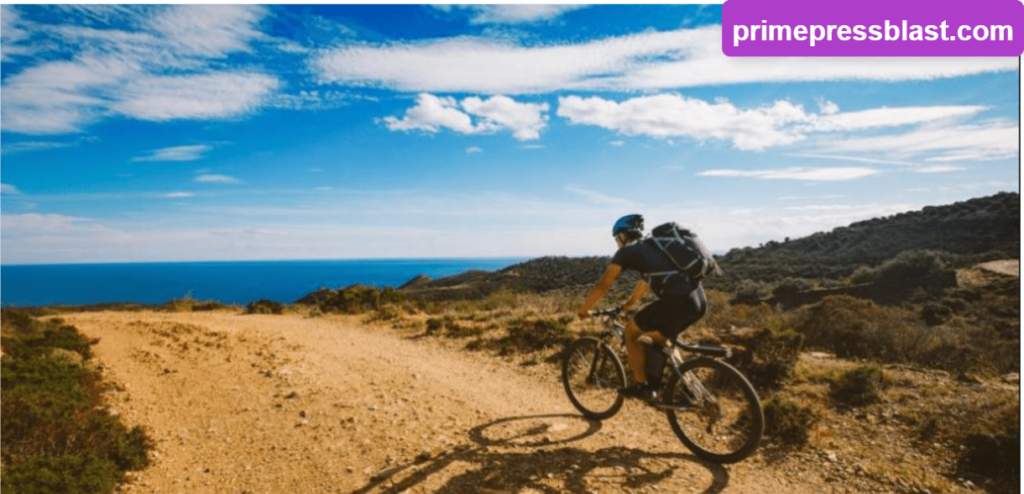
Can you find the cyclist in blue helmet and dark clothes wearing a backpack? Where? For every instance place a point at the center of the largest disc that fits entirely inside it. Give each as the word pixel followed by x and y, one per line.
pixel 680 302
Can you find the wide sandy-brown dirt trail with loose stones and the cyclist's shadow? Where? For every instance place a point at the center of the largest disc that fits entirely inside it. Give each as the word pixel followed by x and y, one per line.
pixel 291 404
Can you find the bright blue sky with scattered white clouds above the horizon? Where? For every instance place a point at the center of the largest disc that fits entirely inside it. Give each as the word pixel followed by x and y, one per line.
pixel 219 133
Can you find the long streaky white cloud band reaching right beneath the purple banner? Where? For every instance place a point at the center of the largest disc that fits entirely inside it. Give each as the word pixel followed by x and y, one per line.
pixel 679 59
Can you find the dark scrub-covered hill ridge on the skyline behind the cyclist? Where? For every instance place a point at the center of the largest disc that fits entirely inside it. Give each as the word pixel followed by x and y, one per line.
pixel 970 232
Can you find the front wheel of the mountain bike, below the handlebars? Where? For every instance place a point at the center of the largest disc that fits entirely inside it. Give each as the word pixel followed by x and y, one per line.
pixel 592 376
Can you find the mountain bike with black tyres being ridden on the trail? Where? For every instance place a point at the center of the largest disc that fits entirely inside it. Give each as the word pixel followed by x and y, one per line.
pixel 711 406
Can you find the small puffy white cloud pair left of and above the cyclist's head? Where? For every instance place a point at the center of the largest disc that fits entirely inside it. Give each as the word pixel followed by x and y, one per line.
pixel 434 113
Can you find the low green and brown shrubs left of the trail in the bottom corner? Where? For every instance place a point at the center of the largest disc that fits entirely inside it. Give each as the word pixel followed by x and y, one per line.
pixel 56 434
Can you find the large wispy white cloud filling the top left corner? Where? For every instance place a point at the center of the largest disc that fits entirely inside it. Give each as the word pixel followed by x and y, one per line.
pixel 161 71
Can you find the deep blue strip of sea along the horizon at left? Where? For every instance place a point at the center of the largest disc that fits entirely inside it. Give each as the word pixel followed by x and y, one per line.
pixel 228 282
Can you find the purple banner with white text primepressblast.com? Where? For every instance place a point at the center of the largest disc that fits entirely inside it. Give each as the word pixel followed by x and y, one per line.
pixel 873 28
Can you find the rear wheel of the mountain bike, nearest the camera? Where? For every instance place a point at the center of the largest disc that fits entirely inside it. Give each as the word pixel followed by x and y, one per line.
pixel 715 411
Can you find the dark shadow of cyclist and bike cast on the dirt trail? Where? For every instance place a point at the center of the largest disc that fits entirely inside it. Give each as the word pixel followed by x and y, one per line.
pixel 531 452
